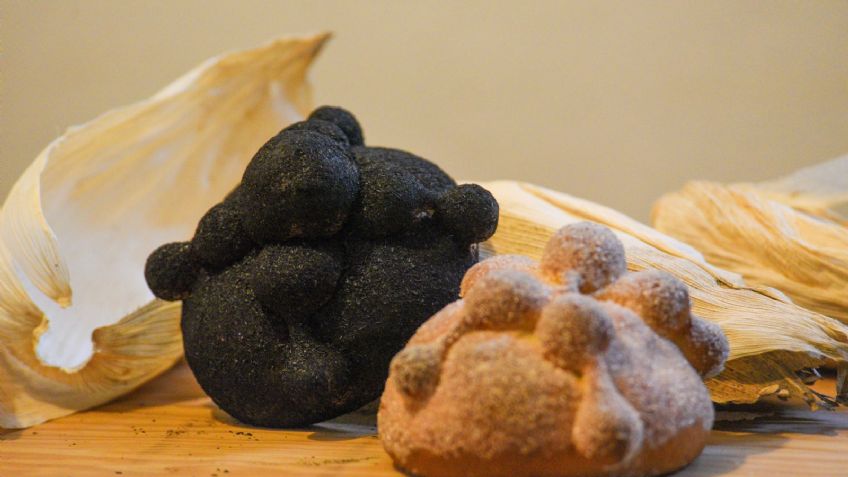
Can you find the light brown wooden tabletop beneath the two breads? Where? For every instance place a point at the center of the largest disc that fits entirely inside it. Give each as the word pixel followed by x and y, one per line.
pixel 169 427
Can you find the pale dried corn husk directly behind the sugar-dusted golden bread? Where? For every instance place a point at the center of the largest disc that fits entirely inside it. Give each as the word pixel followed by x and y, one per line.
pixel 770 337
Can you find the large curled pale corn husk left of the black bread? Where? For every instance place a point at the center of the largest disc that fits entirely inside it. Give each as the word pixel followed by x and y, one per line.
pixel 78 225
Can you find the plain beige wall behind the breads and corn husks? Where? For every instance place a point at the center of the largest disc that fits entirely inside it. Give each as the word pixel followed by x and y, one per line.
pixel 613 101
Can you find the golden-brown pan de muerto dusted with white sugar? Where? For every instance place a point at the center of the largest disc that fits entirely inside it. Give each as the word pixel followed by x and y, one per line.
pixel 567 367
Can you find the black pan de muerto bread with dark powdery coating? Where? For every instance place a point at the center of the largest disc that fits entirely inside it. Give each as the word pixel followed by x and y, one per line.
pixel 301 285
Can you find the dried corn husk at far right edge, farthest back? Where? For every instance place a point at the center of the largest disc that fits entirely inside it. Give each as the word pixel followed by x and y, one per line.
pixel 782 233
